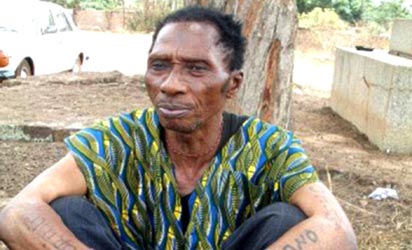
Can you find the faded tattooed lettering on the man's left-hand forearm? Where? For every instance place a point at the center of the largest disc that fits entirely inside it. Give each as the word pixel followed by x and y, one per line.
pixel 40 226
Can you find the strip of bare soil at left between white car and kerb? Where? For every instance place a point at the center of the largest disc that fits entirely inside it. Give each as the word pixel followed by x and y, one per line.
pixel 69 100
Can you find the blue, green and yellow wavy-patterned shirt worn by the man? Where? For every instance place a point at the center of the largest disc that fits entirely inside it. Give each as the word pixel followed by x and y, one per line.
pixel 130 178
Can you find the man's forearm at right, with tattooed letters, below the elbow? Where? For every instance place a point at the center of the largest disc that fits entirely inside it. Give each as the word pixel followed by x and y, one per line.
pixel 317 233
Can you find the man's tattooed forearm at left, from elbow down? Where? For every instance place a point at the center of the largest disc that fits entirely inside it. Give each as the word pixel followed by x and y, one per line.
pixel 35 225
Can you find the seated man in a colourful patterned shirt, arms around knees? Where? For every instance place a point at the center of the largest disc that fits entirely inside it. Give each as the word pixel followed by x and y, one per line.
pixel 184 174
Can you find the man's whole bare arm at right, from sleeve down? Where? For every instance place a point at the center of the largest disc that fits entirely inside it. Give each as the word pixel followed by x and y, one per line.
pixel 327 226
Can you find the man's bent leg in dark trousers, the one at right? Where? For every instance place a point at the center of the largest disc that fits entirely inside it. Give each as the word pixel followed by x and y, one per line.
pixel 265 227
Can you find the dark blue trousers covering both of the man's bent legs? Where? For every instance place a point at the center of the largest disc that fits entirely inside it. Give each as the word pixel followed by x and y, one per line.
pixel 258 232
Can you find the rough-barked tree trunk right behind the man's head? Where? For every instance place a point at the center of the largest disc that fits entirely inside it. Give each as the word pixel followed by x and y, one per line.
pixel 270 27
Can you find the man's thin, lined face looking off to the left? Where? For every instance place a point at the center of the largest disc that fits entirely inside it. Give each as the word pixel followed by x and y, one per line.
pixel 187 77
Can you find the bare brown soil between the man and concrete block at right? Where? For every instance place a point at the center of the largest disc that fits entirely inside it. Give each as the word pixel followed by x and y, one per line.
pixel 352 168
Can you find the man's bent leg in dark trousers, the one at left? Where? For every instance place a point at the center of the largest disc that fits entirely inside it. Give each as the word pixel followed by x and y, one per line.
pixel 86 222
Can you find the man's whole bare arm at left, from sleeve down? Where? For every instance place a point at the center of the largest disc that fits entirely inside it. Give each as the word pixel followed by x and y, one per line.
pixel 28 222
